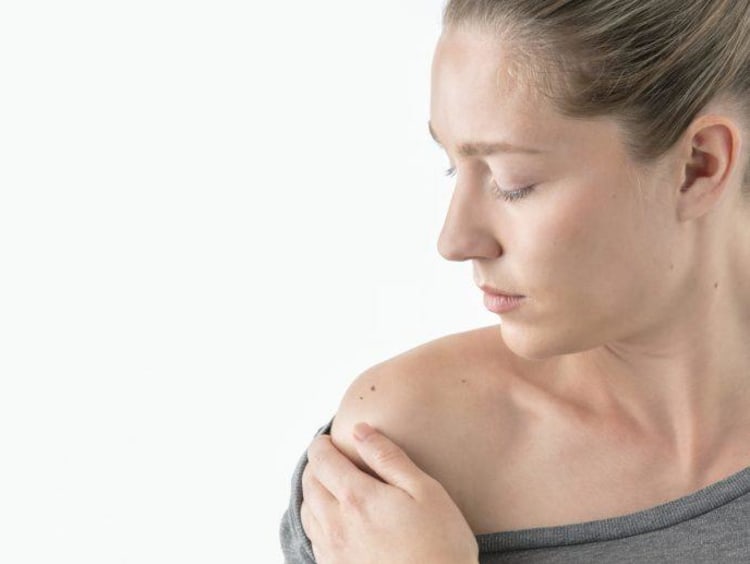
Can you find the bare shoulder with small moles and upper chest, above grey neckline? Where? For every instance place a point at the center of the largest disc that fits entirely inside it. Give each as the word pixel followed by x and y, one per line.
pixel 482 422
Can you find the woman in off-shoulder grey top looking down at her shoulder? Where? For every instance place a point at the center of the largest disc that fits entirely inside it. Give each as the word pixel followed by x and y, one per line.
pixel 601 157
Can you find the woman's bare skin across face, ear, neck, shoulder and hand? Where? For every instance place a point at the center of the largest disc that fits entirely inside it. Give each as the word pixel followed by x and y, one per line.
pixel 633 332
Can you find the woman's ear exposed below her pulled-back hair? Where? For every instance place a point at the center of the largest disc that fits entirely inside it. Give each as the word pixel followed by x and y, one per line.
pixel 708 160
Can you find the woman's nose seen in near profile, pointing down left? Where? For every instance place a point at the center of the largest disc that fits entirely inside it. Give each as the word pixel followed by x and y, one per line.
pixel 466 232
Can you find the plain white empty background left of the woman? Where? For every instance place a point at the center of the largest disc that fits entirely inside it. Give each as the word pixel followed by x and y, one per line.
pixel 213 217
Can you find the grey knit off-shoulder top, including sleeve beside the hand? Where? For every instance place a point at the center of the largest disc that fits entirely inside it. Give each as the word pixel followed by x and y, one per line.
pixel 709 525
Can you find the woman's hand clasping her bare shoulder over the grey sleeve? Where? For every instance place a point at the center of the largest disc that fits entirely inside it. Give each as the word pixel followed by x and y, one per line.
pixel 352 517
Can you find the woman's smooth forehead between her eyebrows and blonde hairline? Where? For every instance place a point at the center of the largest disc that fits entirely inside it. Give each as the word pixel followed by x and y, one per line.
pixel 481 89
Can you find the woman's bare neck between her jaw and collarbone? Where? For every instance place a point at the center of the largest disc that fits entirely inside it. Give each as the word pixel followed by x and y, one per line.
pixel 686 380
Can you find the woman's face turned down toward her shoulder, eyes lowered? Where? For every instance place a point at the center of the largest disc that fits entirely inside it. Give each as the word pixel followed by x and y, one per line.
pixel 594 260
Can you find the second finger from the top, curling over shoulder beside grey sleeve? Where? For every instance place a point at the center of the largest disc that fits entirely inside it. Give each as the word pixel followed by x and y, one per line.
pixel 339 475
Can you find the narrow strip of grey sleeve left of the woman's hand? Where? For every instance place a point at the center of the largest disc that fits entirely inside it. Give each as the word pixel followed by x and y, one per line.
pixel 295 545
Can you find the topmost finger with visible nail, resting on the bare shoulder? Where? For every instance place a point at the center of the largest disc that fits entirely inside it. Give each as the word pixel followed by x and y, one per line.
pixel 386 458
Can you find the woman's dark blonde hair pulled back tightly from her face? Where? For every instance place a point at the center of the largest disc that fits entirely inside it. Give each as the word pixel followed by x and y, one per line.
pixel 652 64
